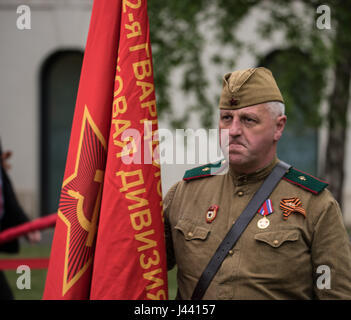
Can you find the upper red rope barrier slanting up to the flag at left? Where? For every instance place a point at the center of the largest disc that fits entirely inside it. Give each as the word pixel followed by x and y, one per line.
pixel 37 224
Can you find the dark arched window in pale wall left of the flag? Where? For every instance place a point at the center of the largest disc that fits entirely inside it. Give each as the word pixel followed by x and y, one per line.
pixel 59 84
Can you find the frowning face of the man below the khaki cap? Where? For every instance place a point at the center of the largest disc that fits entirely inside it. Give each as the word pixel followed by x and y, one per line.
pixel 253 135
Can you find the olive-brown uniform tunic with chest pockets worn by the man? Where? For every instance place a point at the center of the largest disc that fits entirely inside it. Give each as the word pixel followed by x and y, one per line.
pixel 278 262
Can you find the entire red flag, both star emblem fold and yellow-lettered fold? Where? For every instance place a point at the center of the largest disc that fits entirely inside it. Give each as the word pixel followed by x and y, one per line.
pixel 91 190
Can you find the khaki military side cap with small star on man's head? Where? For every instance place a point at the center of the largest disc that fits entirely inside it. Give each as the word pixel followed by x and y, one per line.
pixel 244 88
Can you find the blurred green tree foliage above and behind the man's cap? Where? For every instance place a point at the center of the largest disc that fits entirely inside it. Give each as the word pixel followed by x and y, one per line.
pixel 178 42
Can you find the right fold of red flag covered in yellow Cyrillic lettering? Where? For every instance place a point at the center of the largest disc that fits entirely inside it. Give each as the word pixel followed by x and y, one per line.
pixel 130 258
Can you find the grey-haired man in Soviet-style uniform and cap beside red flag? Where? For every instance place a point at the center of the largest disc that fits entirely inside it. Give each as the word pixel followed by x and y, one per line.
pixel 295 247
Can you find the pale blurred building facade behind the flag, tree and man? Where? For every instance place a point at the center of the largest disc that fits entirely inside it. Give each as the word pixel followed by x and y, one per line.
pixel 40 69
